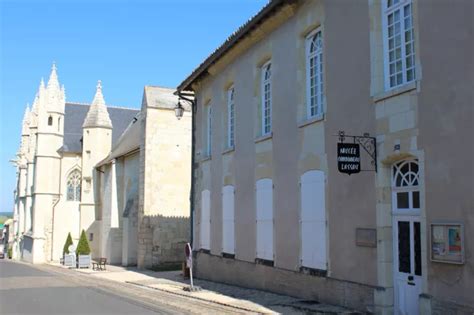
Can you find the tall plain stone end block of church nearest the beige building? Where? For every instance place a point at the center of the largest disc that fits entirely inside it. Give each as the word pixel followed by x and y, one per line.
pixel 165 159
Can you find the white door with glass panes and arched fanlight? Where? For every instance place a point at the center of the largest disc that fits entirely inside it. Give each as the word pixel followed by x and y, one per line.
pixel 406 237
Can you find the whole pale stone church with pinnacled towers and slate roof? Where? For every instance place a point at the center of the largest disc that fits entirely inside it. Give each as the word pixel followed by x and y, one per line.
pixel 79 169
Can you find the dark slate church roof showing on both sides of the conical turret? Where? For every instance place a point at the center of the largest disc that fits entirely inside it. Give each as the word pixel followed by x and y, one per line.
pixel 74 116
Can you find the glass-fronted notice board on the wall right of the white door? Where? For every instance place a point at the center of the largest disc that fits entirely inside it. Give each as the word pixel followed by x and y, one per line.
pixel 447 243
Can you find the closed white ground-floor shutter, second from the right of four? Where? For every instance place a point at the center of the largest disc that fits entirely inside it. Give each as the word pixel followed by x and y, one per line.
pixel 265 219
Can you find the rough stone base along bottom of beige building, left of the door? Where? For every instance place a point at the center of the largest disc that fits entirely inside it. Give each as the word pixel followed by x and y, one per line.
pixel 322 289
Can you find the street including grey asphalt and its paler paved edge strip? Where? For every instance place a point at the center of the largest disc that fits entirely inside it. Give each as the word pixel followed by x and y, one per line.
pixel 43 289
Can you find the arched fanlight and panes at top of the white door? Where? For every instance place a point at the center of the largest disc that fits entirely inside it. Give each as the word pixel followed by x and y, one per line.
pixel 405 182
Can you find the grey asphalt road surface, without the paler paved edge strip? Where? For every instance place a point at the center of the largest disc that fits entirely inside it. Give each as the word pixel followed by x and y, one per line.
pixel 25 289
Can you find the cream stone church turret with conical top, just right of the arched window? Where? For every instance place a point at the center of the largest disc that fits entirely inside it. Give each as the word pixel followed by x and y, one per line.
pixel 96 145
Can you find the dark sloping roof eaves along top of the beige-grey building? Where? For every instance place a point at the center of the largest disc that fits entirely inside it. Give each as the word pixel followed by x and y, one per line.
pixel 271 7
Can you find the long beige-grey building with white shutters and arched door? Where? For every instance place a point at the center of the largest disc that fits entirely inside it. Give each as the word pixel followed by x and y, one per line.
pixel 270 208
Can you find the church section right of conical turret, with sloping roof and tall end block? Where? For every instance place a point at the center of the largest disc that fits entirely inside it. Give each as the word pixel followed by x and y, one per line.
pixel 147 175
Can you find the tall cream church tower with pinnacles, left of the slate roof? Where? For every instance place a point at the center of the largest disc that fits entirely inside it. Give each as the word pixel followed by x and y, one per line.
pixel 49 108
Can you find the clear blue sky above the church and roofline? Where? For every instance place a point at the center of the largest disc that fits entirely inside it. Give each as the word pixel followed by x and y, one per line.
pixel 126 44
